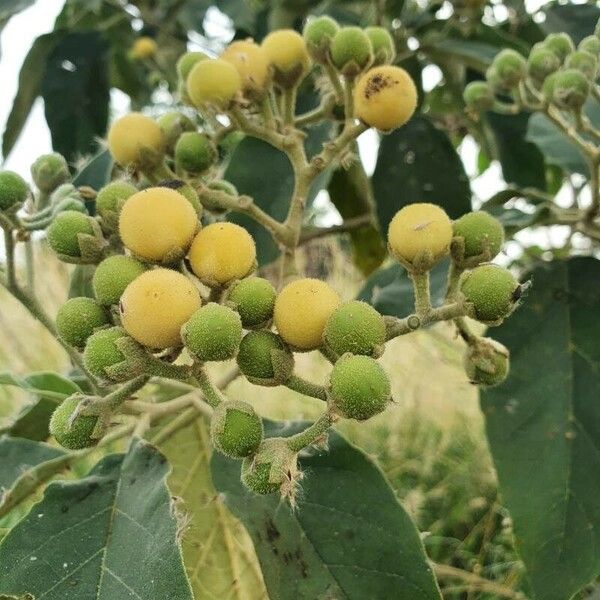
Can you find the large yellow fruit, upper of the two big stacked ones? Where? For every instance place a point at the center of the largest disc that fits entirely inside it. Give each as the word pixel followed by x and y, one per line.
pixel 158 224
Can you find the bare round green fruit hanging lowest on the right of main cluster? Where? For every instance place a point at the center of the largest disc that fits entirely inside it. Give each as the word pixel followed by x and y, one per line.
pixel 360 388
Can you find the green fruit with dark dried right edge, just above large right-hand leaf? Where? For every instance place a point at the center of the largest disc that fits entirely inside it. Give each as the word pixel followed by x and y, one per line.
pixel 493 292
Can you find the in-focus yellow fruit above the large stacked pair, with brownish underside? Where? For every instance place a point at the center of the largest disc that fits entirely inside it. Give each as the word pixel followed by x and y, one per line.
pixel 135 139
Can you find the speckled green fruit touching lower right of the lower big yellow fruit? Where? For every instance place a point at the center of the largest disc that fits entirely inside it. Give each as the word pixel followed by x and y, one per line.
pixel 214 332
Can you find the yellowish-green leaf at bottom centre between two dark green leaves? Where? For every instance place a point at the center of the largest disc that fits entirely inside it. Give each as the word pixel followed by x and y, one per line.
pixel 217 551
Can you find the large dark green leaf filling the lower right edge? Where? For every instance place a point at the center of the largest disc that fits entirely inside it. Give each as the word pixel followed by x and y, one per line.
pixel 543 427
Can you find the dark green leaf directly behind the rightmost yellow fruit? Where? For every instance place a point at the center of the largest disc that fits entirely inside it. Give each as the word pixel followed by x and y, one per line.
pixel 417 163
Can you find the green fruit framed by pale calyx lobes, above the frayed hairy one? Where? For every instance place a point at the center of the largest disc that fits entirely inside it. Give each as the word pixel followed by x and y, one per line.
pixel 236 430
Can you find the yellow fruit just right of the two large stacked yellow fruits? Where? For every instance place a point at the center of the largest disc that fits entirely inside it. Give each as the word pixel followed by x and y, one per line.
pixel 221 253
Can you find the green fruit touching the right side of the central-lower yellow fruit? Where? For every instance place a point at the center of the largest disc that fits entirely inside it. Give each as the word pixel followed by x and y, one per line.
pixel 355 327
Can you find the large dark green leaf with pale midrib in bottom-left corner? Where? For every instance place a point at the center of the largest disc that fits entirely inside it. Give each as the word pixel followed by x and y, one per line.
pixel 109 535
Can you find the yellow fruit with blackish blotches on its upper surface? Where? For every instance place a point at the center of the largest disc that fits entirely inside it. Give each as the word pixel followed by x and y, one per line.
pixel 385 97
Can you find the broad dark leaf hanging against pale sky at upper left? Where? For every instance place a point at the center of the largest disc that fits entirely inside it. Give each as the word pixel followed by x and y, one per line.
pixel 76 90
